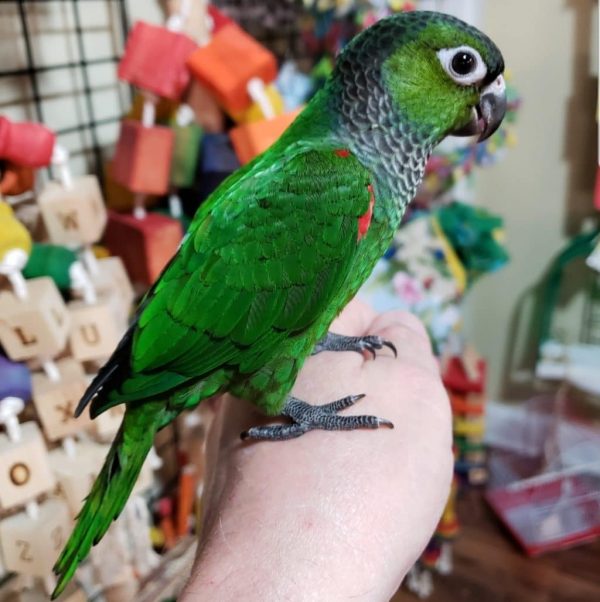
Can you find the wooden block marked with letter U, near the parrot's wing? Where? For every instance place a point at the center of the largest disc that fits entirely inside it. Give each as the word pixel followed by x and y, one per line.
pixel 94 333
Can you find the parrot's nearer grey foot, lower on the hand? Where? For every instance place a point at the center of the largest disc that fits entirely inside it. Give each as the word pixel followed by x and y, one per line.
pixel 307 417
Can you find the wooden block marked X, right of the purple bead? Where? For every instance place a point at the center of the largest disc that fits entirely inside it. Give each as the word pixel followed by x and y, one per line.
pixel 55 401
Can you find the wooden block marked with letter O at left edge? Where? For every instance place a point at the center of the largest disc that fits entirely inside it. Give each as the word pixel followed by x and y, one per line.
pixel 24 469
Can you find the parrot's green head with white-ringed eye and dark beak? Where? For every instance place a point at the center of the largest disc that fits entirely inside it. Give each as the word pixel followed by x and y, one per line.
pixel 443 76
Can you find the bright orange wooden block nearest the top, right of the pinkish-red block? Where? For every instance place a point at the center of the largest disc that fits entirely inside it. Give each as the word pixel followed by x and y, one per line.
pixel 228 63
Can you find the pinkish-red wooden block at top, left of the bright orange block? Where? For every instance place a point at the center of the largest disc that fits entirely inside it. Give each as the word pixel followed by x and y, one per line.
pixel 154 60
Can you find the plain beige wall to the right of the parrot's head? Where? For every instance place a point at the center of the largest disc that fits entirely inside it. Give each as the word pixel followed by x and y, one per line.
pixel 543 187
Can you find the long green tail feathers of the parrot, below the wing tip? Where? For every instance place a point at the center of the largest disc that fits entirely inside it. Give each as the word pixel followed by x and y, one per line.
pixel 112 487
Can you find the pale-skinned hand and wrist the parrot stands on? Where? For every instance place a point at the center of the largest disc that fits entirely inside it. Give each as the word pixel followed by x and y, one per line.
pixel 330 515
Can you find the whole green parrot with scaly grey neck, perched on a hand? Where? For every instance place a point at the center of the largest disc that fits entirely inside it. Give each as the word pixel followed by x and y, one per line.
pixel 277 251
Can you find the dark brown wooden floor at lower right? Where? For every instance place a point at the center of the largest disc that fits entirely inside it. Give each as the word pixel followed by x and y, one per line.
pixel 488 567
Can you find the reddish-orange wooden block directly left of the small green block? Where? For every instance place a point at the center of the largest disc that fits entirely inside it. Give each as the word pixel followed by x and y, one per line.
pixel 142 160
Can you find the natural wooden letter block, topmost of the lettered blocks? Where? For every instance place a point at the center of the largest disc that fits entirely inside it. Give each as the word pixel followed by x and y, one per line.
pixel 74 215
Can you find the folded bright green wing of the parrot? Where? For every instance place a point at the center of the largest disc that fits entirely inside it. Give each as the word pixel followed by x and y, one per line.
pixel 262 261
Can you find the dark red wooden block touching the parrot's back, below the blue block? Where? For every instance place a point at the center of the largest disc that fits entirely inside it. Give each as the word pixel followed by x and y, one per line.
pixel 144 245
